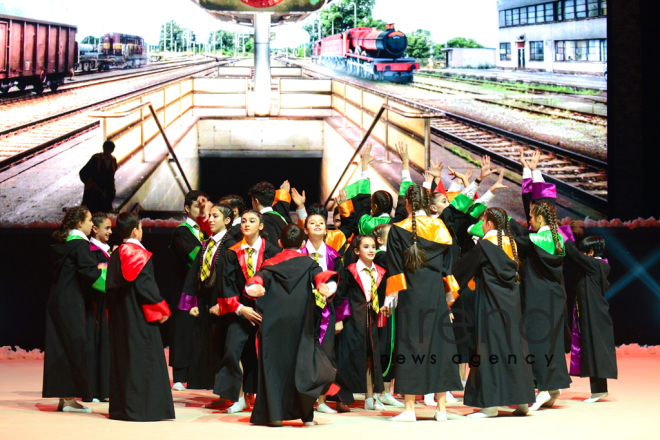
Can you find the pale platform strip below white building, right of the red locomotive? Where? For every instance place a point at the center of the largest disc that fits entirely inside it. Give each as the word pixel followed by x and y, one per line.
pixel 549 78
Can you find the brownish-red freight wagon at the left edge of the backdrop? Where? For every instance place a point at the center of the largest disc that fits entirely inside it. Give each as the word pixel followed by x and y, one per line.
pixel 37 53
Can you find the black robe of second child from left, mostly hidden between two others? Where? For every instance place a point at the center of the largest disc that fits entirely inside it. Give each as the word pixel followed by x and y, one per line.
pixel 98 343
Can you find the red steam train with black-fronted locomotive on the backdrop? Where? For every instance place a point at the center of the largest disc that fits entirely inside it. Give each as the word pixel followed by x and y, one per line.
pixel 368 53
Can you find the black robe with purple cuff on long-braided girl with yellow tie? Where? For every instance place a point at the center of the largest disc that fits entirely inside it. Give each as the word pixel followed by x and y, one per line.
pixel 209 331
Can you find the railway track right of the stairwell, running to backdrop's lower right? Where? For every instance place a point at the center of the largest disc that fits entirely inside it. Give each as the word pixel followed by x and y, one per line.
pixel 581 178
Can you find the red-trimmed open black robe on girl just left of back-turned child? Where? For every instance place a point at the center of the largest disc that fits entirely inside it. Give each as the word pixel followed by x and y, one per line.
pixel 240 343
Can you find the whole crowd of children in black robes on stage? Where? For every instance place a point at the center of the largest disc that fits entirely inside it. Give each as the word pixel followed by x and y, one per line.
pixel 300 317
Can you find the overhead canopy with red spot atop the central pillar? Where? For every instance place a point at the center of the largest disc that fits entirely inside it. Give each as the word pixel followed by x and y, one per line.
pixel 242 11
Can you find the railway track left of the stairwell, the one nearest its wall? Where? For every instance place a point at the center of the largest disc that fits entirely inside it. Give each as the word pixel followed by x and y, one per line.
pixel 27 140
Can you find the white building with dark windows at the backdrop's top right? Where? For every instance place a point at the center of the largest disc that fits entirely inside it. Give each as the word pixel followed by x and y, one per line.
pixel 567 36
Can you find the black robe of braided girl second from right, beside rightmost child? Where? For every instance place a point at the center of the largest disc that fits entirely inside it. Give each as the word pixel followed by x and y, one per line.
pixel 544 310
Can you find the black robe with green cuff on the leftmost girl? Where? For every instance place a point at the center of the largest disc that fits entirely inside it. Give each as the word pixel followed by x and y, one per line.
pixel 68 339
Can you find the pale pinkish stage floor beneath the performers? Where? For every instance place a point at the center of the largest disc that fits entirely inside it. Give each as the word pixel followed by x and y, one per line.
pixel 630 412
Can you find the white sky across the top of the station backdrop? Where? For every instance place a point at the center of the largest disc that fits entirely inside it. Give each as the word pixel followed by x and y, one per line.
pixel 445 19
